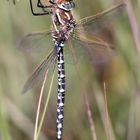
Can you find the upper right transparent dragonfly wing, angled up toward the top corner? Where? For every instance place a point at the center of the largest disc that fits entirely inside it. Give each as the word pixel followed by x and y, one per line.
pixel 94 24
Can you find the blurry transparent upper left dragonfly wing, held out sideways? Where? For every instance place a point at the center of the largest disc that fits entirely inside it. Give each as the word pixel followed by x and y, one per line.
pixel 36 42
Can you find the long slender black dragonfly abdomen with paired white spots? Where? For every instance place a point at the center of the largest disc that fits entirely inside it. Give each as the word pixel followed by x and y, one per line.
pixel 61 91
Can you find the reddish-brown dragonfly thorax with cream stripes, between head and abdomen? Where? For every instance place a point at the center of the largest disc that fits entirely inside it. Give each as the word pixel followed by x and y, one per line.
pixel 63 24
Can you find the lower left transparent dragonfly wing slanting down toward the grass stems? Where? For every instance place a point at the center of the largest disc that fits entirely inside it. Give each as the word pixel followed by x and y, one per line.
pixel 39 73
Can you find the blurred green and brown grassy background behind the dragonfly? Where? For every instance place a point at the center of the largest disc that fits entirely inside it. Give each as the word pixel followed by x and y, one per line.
pixel 118 78
